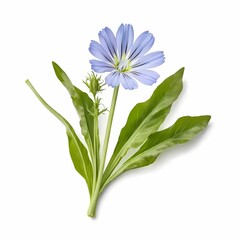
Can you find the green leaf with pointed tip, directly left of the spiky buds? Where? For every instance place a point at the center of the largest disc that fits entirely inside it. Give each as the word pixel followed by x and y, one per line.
pixel 83 104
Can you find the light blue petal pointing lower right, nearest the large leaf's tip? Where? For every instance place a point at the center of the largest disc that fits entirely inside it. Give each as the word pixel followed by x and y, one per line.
pixel 147 77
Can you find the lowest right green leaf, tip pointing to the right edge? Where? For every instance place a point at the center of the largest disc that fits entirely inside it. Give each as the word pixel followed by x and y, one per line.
pixel 183 130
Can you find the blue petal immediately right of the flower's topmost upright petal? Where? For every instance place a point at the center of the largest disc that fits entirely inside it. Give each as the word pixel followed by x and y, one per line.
pixel 142 45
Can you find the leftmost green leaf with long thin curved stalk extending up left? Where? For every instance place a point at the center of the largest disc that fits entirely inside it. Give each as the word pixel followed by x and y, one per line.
pixel 77 150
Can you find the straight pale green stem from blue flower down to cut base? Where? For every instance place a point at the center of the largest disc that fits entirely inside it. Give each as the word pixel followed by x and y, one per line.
pixel 96 190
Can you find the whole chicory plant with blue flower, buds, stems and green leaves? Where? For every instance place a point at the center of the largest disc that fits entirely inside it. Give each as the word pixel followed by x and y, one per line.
pixel 127 62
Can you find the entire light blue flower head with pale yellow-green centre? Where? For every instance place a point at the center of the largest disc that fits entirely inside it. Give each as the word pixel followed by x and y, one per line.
pixel 124 58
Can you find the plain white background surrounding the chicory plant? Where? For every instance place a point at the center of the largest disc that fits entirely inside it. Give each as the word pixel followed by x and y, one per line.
pixel 191 192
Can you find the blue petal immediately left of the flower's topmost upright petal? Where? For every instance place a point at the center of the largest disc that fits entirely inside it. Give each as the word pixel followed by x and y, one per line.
pixel 108 41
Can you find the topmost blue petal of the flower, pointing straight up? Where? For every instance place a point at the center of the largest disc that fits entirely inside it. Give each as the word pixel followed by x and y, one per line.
pixel 125 36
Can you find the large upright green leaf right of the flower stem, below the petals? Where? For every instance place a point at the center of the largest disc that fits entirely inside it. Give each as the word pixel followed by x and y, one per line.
pixel 145 118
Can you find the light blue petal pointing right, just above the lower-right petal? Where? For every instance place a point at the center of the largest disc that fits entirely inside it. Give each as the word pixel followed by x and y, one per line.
pixel 150 60
